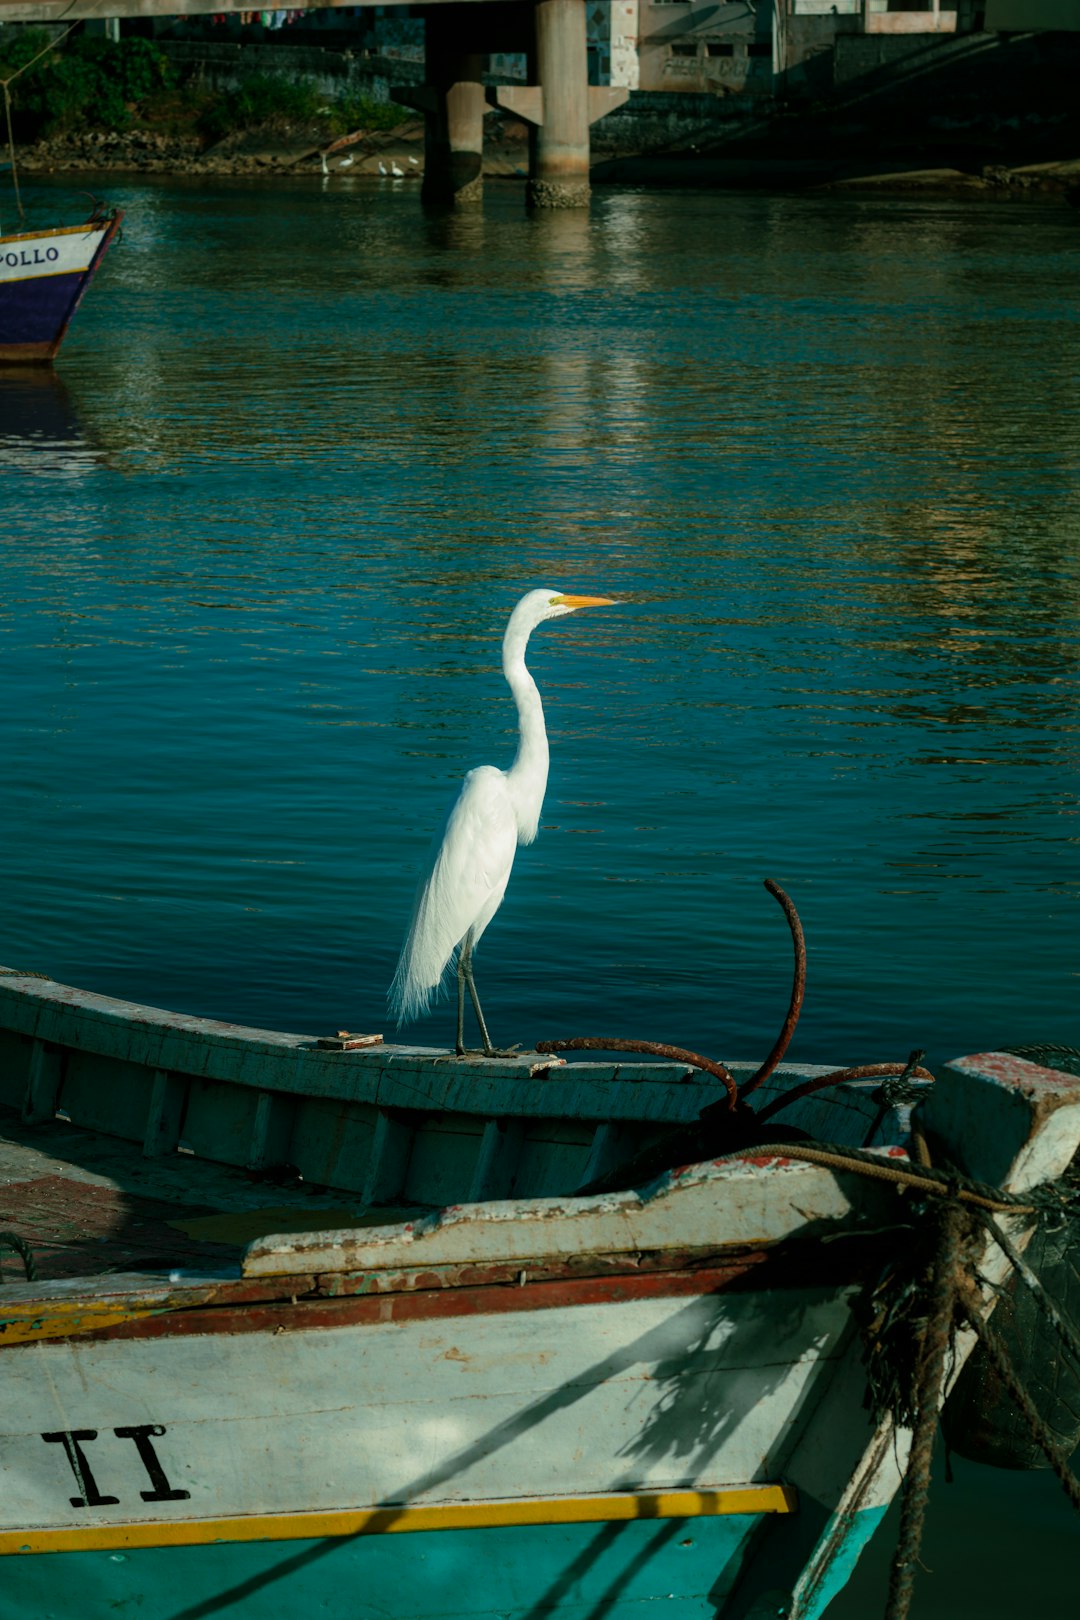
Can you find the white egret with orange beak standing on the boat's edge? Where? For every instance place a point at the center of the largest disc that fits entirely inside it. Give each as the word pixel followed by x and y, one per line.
pixel 495 812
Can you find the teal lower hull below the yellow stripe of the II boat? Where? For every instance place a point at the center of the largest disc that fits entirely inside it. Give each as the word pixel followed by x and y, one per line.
pixel 582 1572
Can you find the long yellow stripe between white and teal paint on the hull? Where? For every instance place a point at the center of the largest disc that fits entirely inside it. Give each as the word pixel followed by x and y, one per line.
pixel 381 1522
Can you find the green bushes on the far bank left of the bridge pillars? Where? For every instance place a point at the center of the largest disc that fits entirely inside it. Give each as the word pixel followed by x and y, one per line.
pixel 100 85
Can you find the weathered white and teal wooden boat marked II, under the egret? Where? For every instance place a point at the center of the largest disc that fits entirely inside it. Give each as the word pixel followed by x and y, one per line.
pixel 326 1328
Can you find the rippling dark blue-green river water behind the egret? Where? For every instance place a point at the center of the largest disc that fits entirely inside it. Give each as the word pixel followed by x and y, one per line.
pixel 305 450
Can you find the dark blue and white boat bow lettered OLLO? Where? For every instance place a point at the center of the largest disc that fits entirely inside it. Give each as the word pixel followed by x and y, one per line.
pixel 43 276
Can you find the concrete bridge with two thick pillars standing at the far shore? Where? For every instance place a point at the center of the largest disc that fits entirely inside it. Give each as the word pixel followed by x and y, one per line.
pixel 558 101
